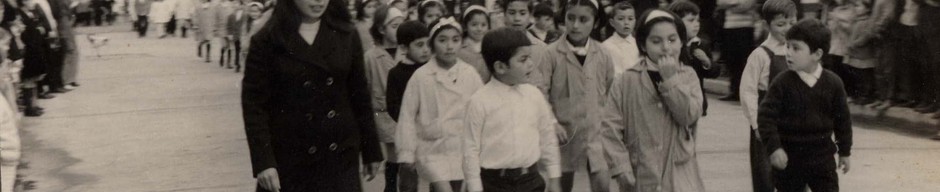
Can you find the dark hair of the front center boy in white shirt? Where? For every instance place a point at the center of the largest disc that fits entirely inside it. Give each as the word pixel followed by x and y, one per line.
pixel 501 44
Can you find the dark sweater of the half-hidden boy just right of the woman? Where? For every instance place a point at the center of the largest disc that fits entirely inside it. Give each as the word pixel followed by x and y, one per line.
pixel 398 78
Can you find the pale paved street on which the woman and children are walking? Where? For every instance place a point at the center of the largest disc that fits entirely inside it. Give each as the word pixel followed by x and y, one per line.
pixel 151 116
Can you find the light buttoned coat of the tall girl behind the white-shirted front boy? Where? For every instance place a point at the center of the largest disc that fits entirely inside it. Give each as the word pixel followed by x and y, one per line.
pixel 576 93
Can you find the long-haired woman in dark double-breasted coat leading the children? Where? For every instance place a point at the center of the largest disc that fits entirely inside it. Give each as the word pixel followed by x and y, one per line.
pixel 306 102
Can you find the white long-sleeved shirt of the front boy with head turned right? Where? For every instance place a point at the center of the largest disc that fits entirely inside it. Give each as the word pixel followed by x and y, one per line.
pixel 509 127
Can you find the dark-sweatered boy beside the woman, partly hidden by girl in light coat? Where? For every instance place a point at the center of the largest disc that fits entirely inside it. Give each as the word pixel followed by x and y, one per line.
pixel 412 39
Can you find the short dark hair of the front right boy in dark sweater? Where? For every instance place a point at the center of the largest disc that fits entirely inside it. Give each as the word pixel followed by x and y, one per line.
pixel 812 32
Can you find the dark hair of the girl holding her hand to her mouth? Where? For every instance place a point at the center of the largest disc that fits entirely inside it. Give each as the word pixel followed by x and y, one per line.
pixel 644 28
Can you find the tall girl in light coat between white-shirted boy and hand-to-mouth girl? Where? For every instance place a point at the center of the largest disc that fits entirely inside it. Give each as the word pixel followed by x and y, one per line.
pixel 576 72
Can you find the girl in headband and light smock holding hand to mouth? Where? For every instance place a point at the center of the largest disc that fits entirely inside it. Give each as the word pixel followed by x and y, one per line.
pixel 656 103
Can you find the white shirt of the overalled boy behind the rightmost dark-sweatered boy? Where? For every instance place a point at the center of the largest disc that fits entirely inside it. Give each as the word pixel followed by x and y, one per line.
pixel 756 77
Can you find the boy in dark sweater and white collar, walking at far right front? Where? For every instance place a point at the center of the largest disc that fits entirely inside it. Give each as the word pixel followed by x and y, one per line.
pixel 803 108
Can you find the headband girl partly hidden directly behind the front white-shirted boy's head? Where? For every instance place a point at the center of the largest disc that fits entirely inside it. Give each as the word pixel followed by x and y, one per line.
pixel 477 24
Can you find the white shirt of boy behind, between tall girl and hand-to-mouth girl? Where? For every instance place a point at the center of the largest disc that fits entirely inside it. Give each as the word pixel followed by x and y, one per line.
pixel 623 51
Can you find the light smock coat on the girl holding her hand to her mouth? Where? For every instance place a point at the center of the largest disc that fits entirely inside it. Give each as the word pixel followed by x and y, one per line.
pixel 658 127
